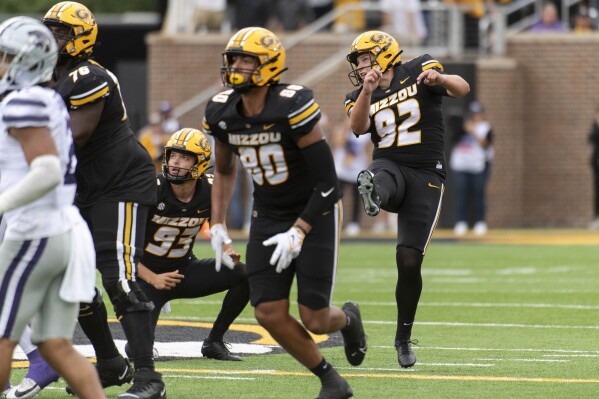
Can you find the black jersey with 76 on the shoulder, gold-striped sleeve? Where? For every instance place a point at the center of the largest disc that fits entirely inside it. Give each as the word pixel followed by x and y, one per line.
pixel 112 165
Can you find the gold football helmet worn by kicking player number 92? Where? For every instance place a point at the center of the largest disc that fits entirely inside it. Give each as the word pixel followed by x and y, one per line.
pixel 381 45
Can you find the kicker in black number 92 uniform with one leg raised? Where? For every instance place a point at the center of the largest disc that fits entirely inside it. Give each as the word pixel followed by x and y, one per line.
pixel 400 106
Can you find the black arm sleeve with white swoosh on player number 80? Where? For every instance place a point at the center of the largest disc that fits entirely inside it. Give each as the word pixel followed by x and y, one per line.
pixel 326 191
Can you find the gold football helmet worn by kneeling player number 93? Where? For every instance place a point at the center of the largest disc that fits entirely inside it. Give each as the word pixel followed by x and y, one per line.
pixel 189 141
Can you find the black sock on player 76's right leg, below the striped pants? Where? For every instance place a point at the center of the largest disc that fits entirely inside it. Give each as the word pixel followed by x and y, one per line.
pixel 138 331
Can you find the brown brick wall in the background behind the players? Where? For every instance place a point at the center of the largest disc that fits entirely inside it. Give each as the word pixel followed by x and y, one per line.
pixel 540 99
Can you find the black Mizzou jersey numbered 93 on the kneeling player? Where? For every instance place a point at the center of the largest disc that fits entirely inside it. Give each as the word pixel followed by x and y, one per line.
pixel 173 225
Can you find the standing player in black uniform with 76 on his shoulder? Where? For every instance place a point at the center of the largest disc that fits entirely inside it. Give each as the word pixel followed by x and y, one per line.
pixel 115 187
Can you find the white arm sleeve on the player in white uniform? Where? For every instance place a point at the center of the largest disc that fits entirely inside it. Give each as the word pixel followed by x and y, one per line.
pixel 44 174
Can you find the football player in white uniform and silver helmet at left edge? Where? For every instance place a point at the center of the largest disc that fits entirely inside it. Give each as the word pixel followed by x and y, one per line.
pixel 46 239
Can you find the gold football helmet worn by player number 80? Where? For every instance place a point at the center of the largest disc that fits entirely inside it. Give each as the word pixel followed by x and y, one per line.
pixel 261 44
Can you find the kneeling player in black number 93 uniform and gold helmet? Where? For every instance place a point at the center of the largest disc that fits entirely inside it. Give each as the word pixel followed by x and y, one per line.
pixel 168 269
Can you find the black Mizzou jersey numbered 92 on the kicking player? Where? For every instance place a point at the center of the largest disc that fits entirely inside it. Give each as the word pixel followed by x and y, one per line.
pixel 406 121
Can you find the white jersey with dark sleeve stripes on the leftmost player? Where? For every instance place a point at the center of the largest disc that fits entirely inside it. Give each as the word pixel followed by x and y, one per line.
pixel 47 216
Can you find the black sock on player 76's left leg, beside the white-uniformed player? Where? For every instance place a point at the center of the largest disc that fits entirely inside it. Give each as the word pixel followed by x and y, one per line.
pixel 93 320
